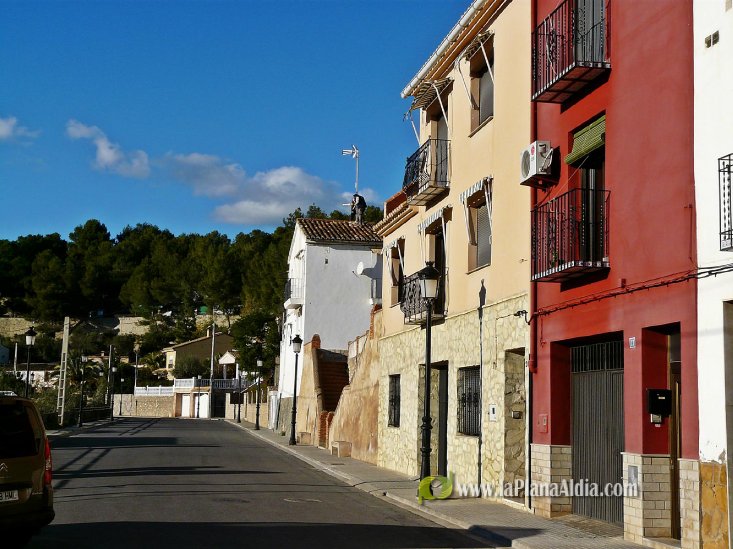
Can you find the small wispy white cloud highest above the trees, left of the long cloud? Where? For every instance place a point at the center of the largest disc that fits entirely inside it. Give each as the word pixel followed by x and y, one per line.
pixel 110 156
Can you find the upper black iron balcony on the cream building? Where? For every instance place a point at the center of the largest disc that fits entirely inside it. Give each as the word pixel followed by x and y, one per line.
pixel 427 172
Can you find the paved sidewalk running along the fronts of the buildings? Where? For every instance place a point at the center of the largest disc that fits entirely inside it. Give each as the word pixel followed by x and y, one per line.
pixel 498 523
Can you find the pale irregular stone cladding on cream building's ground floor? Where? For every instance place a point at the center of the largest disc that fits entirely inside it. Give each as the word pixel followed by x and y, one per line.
pixel 457 343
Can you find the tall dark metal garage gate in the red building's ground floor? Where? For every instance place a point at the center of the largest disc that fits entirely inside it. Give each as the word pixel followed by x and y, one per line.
pixel 598 427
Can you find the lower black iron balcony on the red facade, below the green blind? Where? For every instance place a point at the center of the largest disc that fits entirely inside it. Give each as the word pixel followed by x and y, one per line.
pixel 570 236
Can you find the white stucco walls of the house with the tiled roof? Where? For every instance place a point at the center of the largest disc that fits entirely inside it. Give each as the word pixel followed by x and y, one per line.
pixel 336 301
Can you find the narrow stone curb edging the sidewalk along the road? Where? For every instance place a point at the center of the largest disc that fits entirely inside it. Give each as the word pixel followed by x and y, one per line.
pixel 400 501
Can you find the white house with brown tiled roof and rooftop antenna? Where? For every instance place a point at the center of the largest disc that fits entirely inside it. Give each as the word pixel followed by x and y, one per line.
pixel 334 280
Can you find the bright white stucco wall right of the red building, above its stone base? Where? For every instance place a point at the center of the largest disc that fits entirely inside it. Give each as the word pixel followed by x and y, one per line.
pixel 713 139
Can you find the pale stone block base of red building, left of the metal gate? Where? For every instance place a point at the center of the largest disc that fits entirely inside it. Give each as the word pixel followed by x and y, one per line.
pixel 551 464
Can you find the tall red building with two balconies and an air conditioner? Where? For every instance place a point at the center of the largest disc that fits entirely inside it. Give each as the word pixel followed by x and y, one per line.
pixel 613 248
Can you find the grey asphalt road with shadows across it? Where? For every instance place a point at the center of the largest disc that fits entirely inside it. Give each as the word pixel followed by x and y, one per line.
pixel 199 483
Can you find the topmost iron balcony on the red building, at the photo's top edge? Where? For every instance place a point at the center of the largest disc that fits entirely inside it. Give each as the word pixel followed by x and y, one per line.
pixel 570 49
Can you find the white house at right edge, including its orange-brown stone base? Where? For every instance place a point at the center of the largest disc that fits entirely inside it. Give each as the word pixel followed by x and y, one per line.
pixel 713 157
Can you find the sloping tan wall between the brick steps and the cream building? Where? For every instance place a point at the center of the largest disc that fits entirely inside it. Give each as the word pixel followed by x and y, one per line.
pixel 356 417
